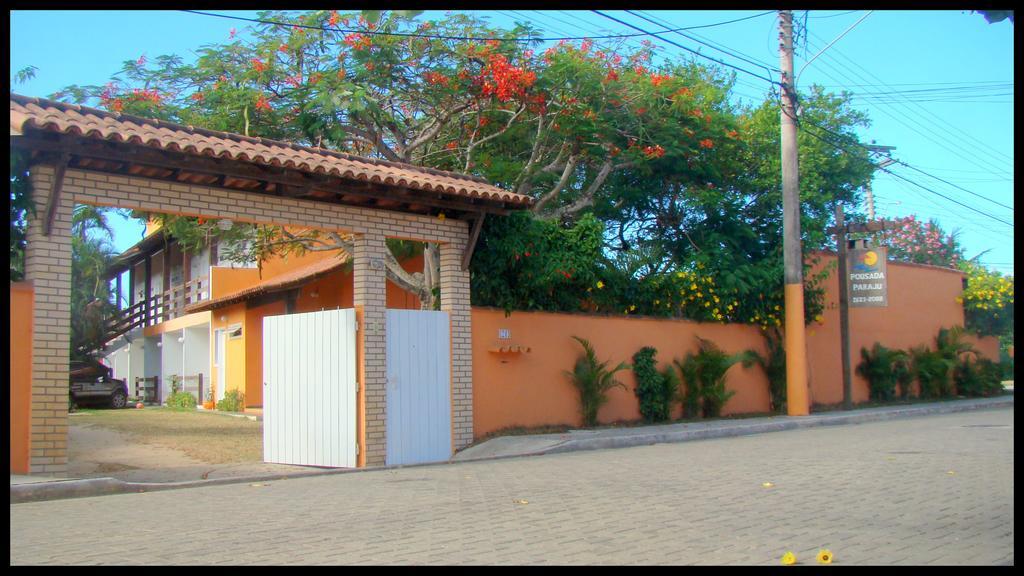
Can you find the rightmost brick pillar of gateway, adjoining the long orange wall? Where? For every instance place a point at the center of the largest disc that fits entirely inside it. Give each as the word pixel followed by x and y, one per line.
pixel 455 301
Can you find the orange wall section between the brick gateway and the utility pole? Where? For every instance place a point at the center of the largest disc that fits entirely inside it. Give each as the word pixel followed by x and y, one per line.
pixel 530 390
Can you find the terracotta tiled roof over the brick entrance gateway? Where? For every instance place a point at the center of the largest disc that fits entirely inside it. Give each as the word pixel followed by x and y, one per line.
pixel 42 114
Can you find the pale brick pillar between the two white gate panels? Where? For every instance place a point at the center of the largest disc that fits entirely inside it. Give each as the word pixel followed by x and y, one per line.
pixel 370 303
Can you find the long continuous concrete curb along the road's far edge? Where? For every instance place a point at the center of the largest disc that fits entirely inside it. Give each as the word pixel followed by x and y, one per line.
pixel 587 440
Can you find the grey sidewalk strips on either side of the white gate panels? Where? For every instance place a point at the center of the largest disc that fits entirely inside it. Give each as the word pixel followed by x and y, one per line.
pixel 28 489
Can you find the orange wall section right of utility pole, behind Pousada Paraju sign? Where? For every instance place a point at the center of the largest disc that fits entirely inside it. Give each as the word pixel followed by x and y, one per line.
pixel 922 300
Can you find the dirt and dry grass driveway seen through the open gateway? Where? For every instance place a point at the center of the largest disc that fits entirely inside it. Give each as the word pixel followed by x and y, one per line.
pixel 156 445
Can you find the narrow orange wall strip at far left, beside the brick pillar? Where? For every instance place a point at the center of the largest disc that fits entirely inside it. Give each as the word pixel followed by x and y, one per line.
pixel 22 302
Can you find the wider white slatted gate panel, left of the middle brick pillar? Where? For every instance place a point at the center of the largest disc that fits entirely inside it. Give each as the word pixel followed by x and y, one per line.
pixel 310 389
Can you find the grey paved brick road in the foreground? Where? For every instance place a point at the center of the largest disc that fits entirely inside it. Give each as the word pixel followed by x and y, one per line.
pixel 875 495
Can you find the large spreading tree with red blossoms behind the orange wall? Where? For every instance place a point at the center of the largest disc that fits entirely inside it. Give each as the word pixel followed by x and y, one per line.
pixel 680 178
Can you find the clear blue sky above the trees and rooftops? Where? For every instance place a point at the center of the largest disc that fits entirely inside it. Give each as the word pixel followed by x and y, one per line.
pixel 937 86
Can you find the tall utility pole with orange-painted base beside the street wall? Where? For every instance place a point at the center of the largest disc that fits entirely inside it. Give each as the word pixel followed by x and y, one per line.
pixel 796 346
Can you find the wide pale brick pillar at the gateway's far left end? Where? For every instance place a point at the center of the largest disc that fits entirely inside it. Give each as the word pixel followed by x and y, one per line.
pixel 48 265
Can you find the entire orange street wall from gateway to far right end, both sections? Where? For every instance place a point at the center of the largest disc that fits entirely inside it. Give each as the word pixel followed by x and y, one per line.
pixel 530 390
